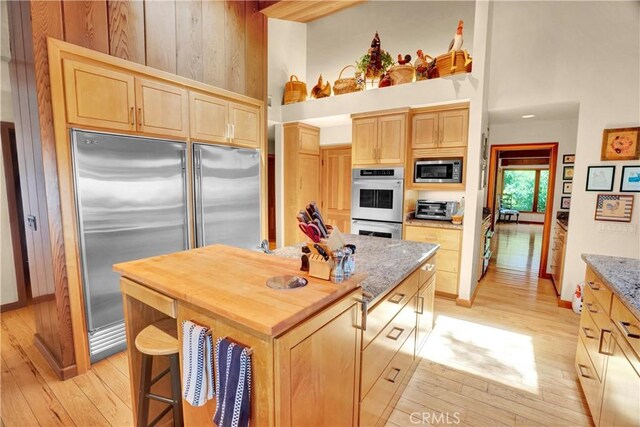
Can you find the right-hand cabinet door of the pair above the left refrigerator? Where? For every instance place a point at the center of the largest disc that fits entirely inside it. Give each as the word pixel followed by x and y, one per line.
pixel 163 109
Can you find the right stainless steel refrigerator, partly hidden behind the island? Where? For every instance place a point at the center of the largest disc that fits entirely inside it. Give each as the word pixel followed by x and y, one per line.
pixel 227 195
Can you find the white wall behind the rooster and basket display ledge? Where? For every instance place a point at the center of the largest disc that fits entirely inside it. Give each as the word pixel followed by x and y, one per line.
pixel 404 27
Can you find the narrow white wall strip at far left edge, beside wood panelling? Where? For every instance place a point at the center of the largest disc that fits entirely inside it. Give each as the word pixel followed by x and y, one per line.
pixel 8 284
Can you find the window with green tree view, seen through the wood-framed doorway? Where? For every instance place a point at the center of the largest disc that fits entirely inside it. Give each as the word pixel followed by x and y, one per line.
pixel 526 188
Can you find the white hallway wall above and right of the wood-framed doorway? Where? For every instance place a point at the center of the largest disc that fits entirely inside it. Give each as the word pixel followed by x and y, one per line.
pixel 521 131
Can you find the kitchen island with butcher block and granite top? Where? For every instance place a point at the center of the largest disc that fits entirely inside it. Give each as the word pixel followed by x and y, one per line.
pixel 310 344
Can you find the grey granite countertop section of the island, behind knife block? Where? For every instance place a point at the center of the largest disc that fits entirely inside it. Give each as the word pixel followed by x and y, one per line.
pixel 386 261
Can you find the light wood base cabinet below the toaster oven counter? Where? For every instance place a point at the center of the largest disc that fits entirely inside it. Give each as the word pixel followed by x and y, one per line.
pixel 450 241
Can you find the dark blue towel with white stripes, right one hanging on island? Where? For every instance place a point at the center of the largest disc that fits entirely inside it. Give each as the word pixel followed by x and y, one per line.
pixel 233 384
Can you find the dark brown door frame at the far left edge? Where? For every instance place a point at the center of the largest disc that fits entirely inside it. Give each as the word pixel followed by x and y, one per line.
pixel 16 216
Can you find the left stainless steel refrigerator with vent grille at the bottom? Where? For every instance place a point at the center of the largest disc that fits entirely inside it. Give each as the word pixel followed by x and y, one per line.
pixel 131 196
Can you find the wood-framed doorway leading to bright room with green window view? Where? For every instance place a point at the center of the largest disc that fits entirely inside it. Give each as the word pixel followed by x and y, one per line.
pixel 520 195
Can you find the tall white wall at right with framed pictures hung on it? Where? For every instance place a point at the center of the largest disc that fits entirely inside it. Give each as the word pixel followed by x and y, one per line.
pixel 548 52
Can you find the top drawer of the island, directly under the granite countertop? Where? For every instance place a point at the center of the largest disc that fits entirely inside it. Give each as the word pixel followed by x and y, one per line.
pixel 381 314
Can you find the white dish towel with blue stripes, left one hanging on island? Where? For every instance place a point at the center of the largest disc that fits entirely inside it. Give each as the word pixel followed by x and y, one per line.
pixel 197 364
